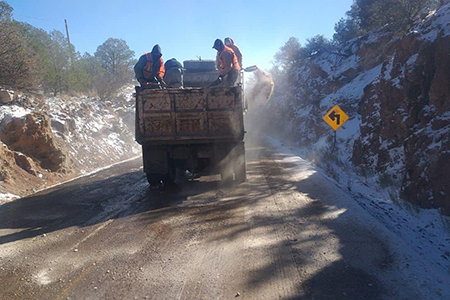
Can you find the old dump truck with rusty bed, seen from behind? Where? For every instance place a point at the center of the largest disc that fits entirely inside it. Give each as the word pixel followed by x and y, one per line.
pixel 195 129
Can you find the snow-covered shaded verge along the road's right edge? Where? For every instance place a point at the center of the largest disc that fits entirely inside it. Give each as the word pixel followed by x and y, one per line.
pixel 419 238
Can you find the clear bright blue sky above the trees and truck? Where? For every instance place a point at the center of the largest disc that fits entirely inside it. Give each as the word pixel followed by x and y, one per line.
pixel 186 29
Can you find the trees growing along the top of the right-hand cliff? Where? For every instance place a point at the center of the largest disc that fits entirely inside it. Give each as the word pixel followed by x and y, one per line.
pixel 363 16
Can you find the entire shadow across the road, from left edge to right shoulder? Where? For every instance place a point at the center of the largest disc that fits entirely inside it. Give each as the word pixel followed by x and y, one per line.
pixel 305 229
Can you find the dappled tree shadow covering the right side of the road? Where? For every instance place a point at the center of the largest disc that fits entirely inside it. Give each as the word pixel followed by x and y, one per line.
pixel 363 258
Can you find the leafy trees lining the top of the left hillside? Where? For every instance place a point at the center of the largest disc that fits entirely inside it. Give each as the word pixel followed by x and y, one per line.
pixel 33 60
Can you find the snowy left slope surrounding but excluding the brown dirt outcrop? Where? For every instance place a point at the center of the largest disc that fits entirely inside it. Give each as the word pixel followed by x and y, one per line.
pixel 92 134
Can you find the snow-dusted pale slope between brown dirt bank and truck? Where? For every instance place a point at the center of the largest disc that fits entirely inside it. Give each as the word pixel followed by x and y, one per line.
pixel 96 132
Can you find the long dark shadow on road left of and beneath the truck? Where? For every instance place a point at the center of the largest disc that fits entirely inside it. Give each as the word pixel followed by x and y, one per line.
pixel 110 194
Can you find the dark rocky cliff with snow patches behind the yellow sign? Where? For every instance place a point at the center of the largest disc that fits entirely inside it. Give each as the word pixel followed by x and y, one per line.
pixel 396 90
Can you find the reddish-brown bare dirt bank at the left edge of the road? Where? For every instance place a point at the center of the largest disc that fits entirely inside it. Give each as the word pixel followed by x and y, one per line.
pixel 31 156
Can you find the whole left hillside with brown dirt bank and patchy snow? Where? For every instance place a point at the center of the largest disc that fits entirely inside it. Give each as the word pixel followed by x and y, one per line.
pixel 44 141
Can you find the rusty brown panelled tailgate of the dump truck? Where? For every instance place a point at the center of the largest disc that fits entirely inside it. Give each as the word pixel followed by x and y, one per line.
pixel 193 115
